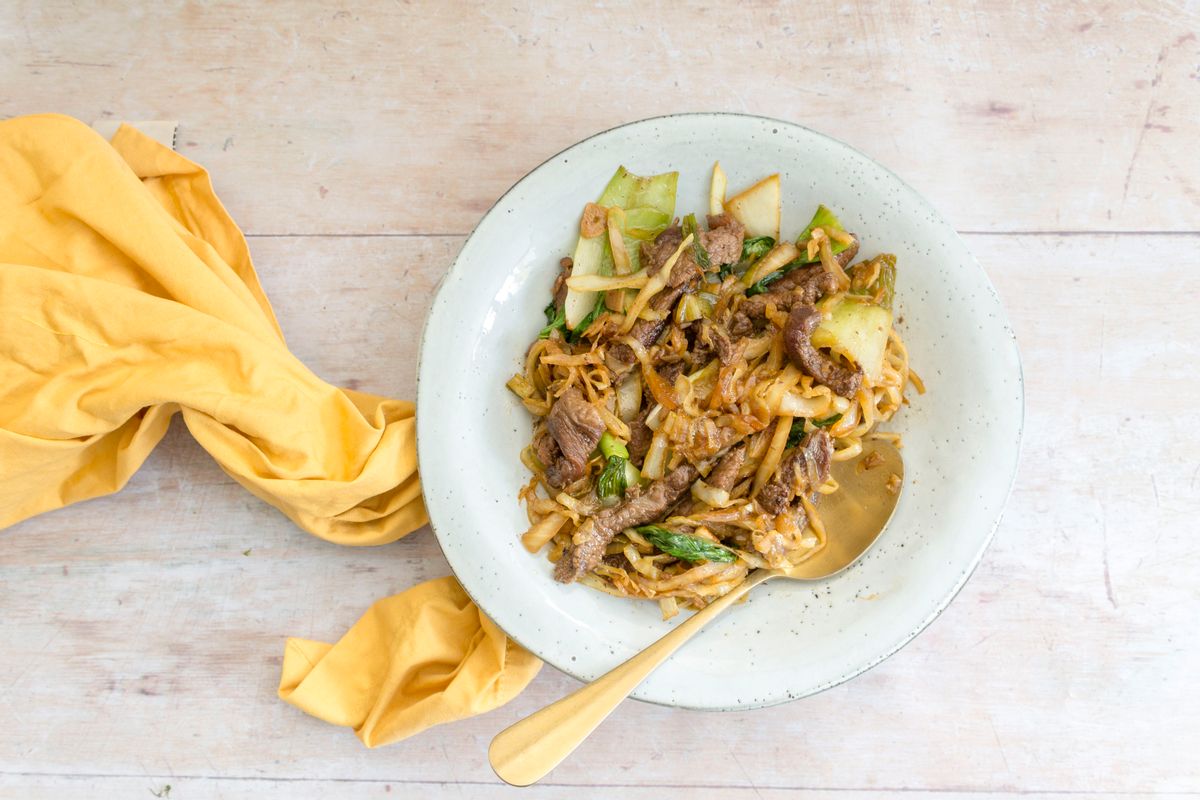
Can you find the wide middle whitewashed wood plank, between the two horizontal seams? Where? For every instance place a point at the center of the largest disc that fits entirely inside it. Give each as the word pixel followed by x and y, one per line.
pixel 140 640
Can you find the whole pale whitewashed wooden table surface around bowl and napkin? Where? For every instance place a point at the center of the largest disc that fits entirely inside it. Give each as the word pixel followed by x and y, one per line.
pixel 358 145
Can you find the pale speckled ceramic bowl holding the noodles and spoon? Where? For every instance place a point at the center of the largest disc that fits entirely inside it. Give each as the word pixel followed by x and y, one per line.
pixel 791 640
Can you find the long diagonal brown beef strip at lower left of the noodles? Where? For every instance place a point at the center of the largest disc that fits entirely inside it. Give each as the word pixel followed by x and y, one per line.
pixel 593 537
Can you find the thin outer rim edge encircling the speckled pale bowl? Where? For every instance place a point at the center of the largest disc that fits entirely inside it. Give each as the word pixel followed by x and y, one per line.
pixel 915 196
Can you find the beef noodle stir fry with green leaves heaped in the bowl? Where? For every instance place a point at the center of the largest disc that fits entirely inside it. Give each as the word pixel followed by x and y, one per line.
pixel 694 384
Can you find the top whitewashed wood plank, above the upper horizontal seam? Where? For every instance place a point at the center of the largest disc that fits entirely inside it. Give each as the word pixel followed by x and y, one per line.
pixel 412 118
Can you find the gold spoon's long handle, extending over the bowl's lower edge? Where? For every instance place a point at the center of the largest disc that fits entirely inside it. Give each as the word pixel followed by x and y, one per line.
pixel 526 751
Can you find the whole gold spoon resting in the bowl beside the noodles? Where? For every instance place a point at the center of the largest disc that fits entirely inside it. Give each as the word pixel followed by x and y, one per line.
pixel 855 516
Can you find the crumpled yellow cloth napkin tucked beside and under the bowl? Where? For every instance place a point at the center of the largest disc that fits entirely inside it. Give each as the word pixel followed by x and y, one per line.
pixel 127 296
